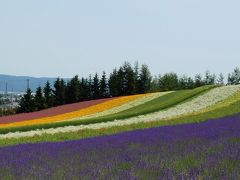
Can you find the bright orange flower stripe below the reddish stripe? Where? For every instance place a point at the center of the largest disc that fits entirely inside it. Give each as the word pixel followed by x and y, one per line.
pixel 83 112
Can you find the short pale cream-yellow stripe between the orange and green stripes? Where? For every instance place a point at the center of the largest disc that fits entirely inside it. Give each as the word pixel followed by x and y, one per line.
pixel 146 98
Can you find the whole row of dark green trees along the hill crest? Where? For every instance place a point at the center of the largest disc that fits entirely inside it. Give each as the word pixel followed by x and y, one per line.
pixel 125 80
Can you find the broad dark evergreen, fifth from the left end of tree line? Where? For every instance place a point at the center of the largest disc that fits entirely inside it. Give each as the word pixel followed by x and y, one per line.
pixel 73 90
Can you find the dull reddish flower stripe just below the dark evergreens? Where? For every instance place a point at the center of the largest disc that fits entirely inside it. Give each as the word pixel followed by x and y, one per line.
pixel 51 111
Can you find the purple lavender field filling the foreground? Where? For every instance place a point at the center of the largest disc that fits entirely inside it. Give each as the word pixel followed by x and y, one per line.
pixel 206 150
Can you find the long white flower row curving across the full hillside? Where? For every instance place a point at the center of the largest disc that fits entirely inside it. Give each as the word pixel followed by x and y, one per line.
pixel 201 102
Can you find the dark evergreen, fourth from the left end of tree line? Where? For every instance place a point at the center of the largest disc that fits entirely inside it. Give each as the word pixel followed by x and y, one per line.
pixel 59 92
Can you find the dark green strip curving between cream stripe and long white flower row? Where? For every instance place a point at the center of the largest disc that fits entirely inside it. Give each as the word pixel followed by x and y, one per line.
pixel 157 104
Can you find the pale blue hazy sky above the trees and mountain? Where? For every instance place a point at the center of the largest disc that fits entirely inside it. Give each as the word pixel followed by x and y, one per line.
pixel 63 38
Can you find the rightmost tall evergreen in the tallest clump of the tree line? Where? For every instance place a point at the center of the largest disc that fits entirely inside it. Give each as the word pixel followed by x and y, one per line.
pixel 145 78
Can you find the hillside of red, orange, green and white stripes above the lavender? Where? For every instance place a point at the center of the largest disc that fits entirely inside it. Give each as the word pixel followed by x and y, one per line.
pixel 122 111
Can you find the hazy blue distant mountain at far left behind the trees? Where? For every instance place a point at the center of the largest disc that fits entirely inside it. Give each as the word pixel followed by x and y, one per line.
pixel 19 83
